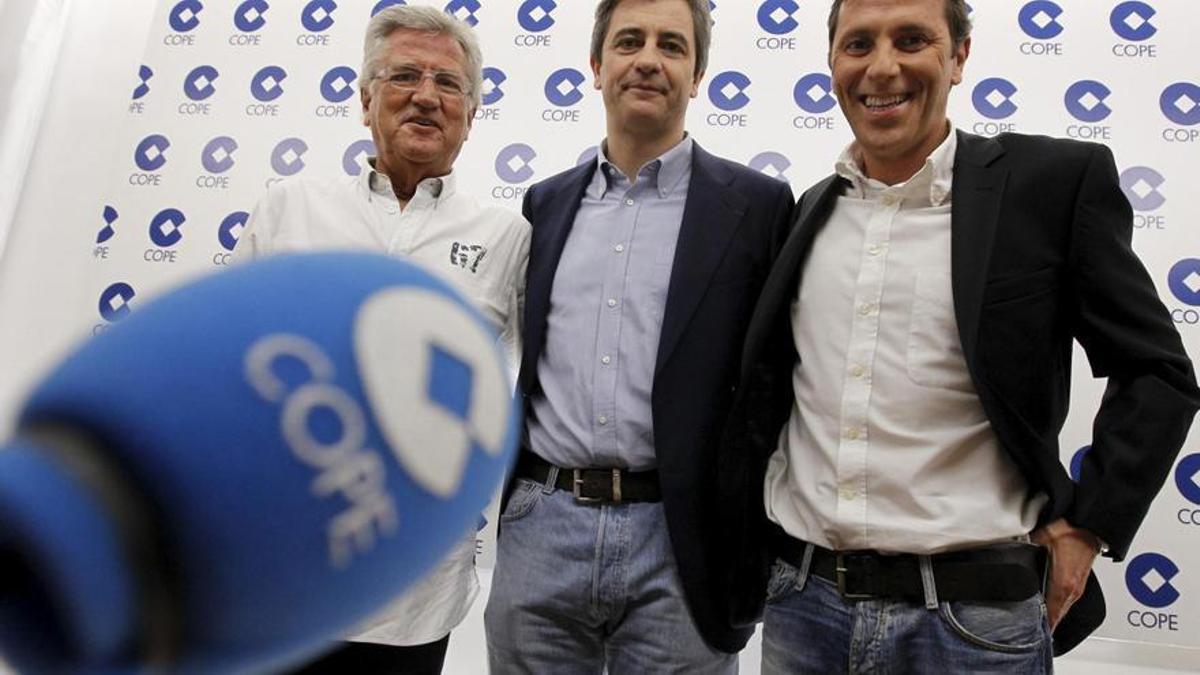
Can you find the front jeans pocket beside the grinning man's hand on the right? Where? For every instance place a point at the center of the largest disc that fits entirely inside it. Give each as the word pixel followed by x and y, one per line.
pixel 1007 628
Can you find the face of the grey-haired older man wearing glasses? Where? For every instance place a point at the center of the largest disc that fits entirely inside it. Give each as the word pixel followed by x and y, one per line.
pixel 417 132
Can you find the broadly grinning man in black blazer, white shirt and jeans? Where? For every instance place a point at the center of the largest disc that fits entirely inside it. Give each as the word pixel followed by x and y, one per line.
pixel 892 467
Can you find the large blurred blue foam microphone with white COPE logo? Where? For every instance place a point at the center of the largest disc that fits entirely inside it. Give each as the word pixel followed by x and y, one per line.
pixel 247 468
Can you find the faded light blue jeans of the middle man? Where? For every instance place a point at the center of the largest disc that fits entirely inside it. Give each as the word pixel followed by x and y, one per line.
pixel 583 589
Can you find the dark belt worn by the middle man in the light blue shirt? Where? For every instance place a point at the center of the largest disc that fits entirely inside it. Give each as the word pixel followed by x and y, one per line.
pixel 595 486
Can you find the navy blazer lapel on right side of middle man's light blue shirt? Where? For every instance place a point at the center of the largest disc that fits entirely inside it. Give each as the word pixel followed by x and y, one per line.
pixel 711 217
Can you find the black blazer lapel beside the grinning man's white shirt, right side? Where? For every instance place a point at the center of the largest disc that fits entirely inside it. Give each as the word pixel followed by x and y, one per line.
pixel 975 213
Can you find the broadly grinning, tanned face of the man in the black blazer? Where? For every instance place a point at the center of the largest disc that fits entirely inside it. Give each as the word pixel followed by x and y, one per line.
pixel 893 65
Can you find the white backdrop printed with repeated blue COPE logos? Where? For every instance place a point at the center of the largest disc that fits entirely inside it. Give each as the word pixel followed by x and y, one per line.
pixel 167 122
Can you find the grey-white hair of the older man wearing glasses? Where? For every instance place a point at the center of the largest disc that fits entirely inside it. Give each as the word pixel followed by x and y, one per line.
pixel 416 17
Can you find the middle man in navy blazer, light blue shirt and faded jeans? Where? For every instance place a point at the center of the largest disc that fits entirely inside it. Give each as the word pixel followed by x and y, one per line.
pixel 645 267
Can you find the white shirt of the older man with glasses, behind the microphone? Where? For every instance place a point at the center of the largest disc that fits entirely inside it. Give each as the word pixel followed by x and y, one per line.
pixel 482 252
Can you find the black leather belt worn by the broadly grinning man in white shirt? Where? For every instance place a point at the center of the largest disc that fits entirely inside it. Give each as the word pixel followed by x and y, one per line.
pixel 999 574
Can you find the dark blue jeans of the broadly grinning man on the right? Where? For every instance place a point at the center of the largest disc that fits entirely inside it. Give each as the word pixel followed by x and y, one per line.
pixel 808 628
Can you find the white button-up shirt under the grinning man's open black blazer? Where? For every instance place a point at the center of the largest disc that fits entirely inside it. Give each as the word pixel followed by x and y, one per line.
pixel 887 446
